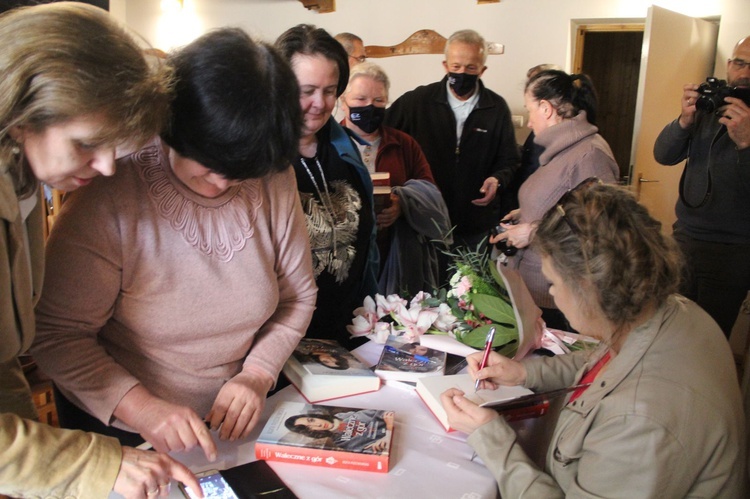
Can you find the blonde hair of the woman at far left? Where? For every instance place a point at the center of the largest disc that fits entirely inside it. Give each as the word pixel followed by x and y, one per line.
pixel 65 60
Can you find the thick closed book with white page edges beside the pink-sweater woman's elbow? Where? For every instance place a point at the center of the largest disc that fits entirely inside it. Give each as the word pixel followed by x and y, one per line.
pixel 323 370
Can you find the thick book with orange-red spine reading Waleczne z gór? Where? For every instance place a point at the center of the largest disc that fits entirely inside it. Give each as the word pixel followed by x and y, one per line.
pixel 332 437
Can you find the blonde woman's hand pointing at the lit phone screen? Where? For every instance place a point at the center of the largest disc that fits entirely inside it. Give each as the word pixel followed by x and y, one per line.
pixel 146 474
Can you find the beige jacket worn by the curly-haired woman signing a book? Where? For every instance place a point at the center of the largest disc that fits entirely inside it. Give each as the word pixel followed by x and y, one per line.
pixel 663 420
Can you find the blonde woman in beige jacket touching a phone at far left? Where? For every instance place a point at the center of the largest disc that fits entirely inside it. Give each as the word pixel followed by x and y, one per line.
pixel 65 104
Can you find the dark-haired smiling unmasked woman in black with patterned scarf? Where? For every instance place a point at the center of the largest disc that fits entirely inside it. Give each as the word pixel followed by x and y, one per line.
pixel 334 185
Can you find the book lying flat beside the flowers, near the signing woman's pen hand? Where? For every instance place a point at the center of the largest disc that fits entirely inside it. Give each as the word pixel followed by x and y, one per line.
pixel 406 361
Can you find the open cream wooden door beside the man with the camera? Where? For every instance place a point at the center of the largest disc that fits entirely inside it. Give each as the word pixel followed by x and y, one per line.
pixel 677 49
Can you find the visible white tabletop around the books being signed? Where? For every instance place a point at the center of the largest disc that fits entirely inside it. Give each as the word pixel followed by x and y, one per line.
pixel 425 460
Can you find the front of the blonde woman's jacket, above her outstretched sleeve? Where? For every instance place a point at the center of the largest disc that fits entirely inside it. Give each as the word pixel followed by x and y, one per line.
pixel 21 273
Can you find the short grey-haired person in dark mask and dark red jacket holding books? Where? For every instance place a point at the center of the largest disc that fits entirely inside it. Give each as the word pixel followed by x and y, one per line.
pixel 417 214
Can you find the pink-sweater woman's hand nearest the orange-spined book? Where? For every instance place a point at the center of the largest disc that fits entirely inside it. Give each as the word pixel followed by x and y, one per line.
pixel 239 404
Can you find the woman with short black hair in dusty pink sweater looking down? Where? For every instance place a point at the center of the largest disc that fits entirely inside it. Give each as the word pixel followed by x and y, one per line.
pixel 178 299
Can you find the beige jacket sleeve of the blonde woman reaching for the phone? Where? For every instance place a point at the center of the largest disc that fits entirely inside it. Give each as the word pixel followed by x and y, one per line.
pixel 41 461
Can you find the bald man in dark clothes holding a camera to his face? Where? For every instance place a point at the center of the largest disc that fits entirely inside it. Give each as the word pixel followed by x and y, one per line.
pixel 713 210
